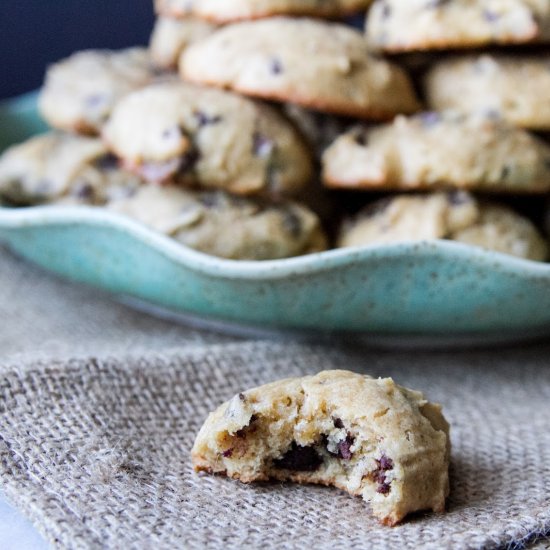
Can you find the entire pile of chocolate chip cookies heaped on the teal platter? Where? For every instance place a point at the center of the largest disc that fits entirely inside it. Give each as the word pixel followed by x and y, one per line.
pixel 222 132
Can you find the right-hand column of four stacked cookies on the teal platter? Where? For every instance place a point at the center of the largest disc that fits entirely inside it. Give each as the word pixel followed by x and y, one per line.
pixel 475 136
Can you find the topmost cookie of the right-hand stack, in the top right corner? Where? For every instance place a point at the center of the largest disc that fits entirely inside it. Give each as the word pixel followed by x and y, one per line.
pixel 414 25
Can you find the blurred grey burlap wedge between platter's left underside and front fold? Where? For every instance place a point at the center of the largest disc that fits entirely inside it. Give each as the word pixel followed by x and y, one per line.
pixel 42 316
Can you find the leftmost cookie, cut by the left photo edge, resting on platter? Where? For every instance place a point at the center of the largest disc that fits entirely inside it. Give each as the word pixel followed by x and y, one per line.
pixel 59 167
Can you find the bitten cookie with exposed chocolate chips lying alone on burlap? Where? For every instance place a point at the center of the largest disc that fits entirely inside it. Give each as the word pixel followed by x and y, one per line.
pixel 369 437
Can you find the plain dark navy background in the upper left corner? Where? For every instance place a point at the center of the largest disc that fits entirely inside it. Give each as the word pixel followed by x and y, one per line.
pixel 34 33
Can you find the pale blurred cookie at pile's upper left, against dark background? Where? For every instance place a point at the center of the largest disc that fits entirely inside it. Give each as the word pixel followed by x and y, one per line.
pixel 80 92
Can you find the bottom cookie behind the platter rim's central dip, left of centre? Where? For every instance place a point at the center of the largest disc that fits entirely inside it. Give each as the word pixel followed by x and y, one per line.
pixel 223 225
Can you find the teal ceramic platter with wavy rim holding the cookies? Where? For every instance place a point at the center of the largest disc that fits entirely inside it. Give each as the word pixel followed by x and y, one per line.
pixel 426 288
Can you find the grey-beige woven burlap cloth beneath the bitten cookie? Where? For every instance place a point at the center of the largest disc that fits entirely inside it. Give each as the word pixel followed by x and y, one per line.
pixel 94 445
